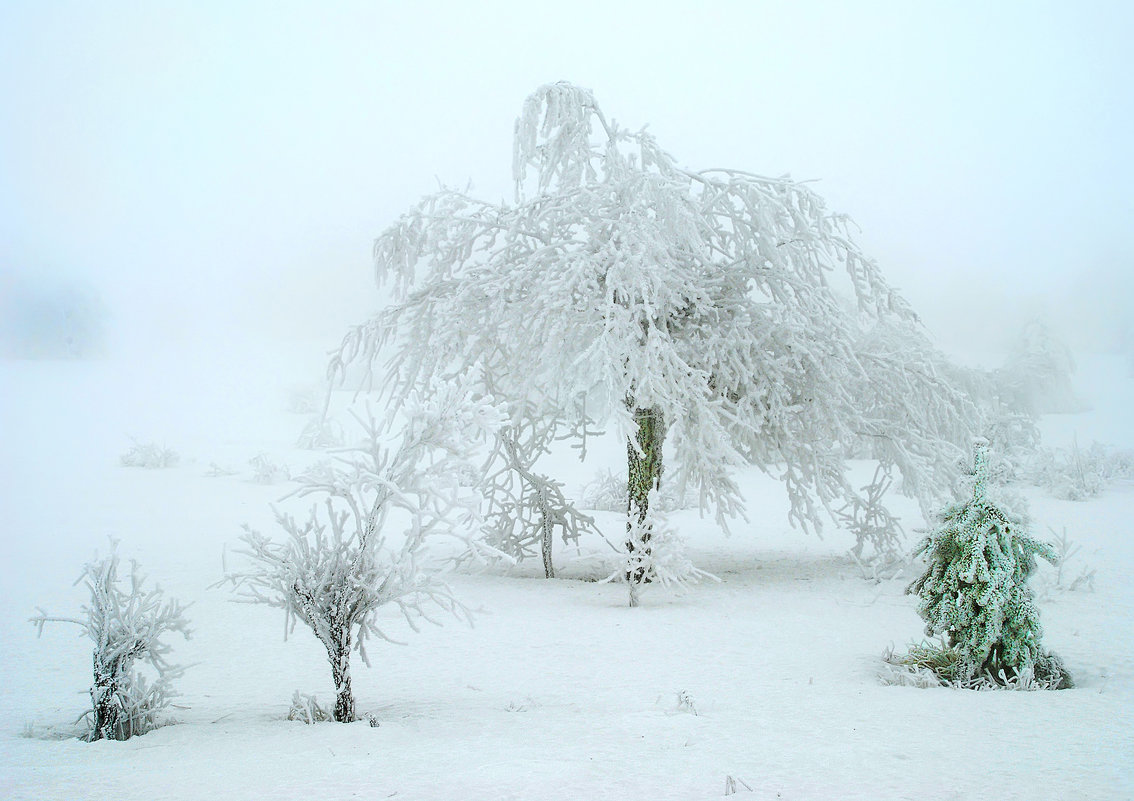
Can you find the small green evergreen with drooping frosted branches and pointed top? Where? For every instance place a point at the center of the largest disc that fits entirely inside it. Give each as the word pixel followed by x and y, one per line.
pixel 975 589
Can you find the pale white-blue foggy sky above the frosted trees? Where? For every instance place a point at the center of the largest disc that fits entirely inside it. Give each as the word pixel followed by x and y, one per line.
pixel 213 167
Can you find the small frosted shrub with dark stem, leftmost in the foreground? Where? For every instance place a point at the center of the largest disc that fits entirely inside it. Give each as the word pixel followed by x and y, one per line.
pixel 126 626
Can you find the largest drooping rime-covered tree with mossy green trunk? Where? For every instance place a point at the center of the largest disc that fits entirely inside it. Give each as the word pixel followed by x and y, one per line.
pixel 705 313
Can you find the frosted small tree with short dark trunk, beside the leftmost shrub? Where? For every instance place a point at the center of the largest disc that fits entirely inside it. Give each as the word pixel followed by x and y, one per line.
pixel 337 569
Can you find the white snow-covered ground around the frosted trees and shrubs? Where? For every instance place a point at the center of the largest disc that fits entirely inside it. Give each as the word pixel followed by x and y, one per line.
pixel 765 684
